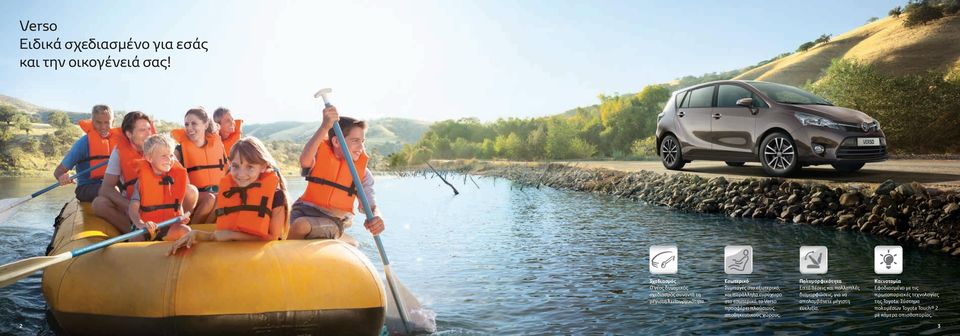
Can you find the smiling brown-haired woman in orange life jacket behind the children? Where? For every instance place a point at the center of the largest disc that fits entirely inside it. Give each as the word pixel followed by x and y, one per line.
pixel 201 151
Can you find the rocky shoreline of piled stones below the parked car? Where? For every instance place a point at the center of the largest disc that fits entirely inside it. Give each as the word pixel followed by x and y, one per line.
pixel 911 213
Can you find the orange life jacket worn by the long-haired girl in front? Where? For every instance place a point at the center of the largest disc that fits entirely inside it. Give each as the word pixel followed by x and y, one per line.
pixel 247 209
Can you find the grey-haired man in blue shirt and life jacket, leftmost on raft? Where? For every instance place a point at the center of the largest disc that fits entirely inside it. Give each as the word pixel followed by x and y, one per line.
pixel 92 148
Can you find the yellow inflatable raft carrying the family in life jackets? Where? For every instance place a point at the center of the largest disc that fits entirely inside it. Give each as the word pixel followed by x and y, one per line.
pixel 284 287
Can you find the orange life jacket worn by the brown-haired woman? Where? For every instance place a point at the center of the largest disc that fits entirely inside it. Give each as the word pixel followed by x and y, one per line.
pixel 206 165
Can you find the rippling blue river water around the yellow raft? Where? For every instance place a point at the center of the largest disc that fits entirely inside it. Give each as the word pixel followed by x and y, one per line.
pixel 500 260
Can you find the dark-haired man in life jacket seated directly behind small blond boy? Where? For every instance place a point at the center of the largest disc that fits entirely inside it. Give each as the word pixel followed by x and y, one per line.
pixel 121 174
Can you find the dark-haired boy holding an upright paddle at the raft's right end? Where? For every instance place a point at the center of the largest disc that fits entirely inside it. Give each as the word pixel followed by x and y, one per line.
pixel 326 207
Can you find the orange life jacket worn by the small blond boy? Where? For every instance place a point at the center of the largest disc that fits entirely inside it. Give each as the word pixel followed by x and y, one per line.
pixel 161 196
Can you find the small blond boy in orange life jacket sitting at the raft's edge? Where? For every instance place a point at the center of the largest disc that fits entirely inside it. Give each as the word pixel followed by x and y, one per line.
pixel 159 191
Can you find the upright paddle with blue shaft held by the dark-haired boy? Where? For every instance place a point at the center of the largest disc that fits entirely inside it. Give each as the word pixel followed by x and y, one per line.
pixel 398 292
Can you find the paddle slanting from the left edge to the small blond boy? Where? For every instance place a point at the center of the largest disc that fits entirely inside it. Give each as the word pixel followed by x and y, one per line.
pixel 17 270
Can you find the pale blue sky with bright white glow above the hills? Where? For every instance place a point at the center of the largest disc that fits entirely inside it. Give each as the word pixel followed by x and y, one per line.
pixel 427 60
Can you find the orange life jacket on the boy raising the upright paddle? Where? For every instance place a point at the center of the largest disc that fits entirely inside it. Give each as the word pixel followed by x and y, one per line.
pixel 330 183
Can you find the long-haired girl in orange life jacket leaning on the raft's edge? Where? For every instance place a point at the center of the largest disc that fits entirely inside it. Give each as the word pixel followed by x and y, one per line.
pixel 252 203
